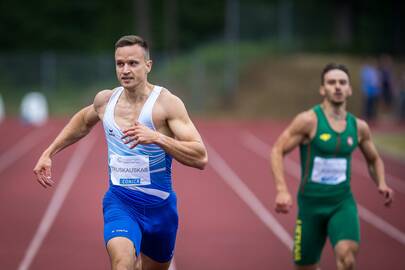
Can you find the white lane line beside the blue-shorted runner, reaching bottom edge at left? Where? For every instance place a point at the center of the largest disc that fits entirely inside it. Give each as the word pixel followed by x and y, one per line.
pixel 69 175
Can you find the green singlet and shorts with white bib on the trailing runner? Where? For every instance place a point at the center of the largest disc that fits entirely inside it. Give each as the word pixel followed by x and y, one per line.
pixel 325 201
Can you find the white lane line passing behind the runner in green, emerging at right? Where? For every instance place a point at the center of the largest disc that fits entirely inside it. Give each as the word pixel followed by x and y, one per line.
pixel 258 146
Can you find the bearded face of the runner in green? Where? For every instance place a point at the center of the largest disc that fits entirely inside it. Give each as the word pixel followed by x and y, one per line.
pixel 336 87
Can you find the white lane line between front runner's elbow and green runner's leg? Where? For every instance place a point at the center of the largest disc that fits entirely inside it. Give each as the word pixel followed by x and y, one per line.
pixel 240 188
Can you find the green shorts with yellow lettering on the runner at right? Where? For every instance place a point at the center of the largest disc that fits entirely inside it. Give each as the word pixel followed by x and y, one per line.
pixel 319 218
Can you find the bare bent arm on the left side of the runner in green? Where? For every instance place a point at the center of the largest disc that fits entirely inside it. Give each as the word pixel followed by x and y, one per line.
pixel 296 133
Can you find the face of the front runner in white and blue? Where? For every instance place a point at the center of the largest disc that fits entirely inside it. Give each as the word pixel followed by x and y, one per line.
pixel 131 66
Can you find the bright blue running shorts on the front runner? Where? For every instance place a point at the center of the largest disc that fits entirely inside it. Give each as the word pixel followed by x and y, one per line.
pixel 152 229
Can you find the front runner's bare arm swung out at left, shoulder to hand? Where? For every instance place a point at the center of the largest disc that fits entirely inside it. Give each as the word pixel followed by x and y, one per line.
pixel 78 127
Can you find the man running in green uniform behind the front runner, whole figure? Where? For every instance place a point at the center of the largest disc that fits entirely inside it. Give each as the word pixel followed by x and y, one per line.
pixel 327 135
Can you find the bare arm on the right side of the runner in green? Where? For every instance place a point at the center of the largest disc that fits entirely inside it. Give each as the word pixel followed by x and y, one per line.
pixel 374 162
